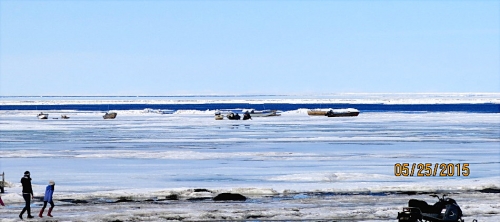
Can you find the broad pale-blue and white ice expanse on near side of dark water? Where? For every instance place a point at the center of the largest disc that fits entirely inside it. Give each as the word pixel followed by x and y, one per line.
pixel 291 167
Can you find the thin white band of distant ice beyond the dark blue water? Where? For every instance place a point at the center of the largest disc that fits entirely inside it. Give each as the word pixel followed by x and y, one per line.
pixel 344 98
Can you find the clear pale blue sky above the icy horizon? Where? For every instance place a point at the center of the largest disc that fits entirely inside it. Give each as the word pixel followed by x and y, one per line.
pixel 247 47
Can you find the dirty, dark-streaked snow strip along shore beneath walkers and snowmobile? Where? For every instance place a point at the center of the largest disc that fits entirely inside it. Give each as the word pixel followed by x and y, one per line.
pixel 288 207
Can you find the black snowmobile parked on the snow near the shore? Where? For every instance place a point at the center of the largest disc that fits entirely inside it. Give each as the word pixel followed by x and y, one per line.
pixel 445 210
